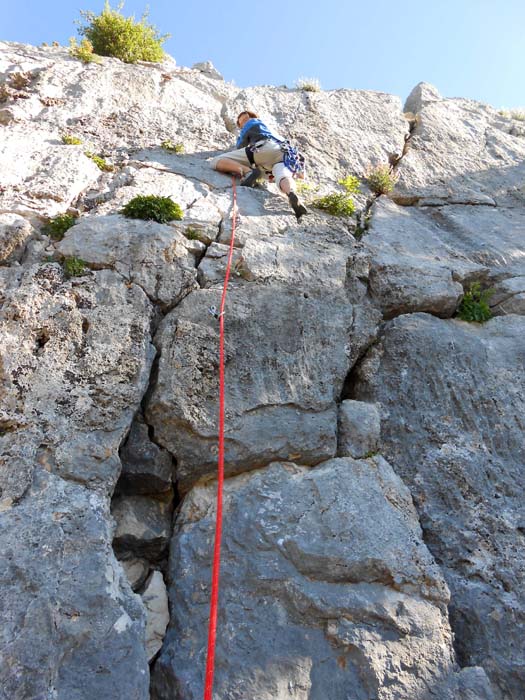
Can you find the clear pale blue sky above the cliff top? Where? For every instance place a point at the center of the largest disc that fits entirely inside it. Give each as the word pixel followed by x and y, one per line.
pixel 467 48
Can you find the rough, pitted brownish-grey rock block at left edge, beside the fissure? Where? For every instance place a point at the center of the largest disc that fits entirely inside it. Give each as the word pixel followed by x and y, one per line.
pixel 68 394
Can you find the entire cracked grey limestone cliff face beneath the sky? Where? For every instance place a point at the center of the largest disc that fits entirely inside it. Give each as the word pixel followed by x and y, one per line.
pixel 340 340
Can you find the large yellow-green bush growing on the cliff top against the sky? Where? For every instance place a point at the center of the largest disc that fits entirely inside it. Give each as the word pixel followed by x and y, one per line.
pixel 112 34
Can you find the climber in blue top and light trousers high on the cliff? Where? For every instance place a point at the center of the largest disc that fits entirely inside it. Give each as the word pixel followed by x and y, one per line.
pixel 259 152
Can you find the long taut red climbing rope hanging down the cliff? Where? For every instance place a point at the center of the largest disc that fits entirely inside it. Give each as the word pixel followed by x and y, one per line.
pixel 212 627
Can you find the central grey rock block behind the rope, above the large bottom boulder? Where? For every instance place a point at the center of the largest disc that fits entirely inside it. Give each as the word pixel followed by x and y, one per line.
pixel 291 344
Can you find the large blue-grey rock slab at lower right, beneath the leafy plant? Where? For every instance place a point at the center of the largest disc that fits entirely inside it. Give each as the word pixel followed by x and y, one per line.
pixel 454 433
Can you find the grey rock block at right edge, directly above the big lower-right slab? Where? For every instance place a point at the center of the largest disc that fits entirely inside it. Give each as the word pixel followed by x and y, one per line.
pixel 423 258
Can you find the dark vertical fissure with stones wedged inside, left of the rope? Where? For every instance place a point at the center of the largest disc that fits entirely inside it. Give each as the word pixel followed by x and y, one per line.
pixel 147 494
